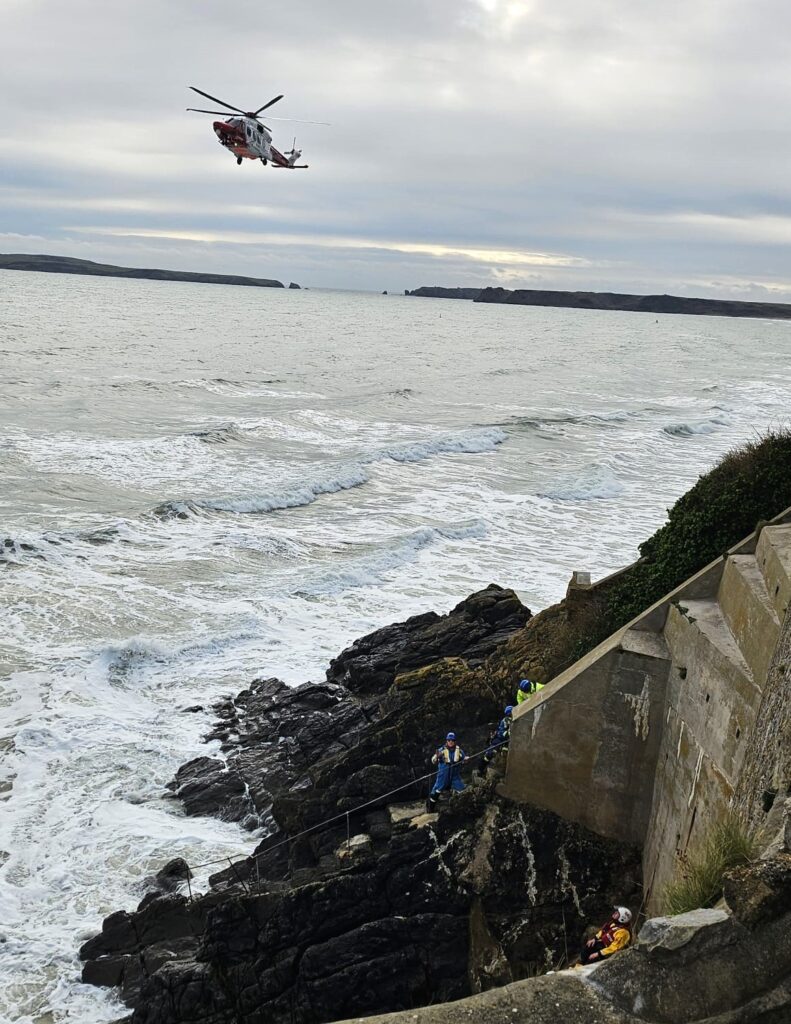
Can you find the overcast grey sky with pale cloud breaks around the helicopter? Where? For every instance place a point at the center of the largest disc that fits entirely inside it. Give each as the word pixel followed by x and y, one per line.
pixel 628 145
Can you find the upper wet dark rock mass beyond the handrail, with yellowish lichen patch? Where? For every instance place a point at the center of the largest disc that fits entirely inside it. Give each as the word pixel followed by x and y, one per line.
pixel 294 756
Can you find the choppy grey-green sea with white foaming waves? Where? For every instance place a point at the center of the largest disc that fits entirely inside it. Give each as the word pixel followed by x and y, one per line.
pixel 202 484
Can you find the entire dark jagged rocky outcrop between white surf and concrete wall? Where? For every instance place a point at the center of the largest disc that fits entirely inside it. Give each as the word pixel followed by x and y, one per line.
pixel 393 908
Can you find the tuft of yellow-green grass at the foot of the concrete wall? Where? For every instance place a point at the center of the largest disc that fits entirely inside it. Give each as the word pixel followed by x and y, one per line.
pixel 700 880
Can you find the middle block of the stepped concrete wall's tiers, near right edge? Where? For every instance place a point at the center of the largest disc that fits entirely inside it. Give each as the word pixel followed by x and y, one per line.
pixel 750 613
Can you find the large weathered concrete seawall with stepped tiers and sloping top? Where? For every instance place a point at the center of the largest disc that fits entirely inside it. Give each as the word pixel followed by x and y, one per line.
pixel 645 738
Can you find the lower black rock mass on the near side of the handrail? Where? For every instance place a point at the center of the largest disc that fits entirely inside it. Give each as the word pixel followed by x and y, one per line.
pixel 389 931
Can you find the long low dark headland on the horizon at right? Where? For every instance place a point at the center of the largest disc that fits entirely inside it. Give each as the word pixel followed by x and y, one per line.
pixel 613 302
